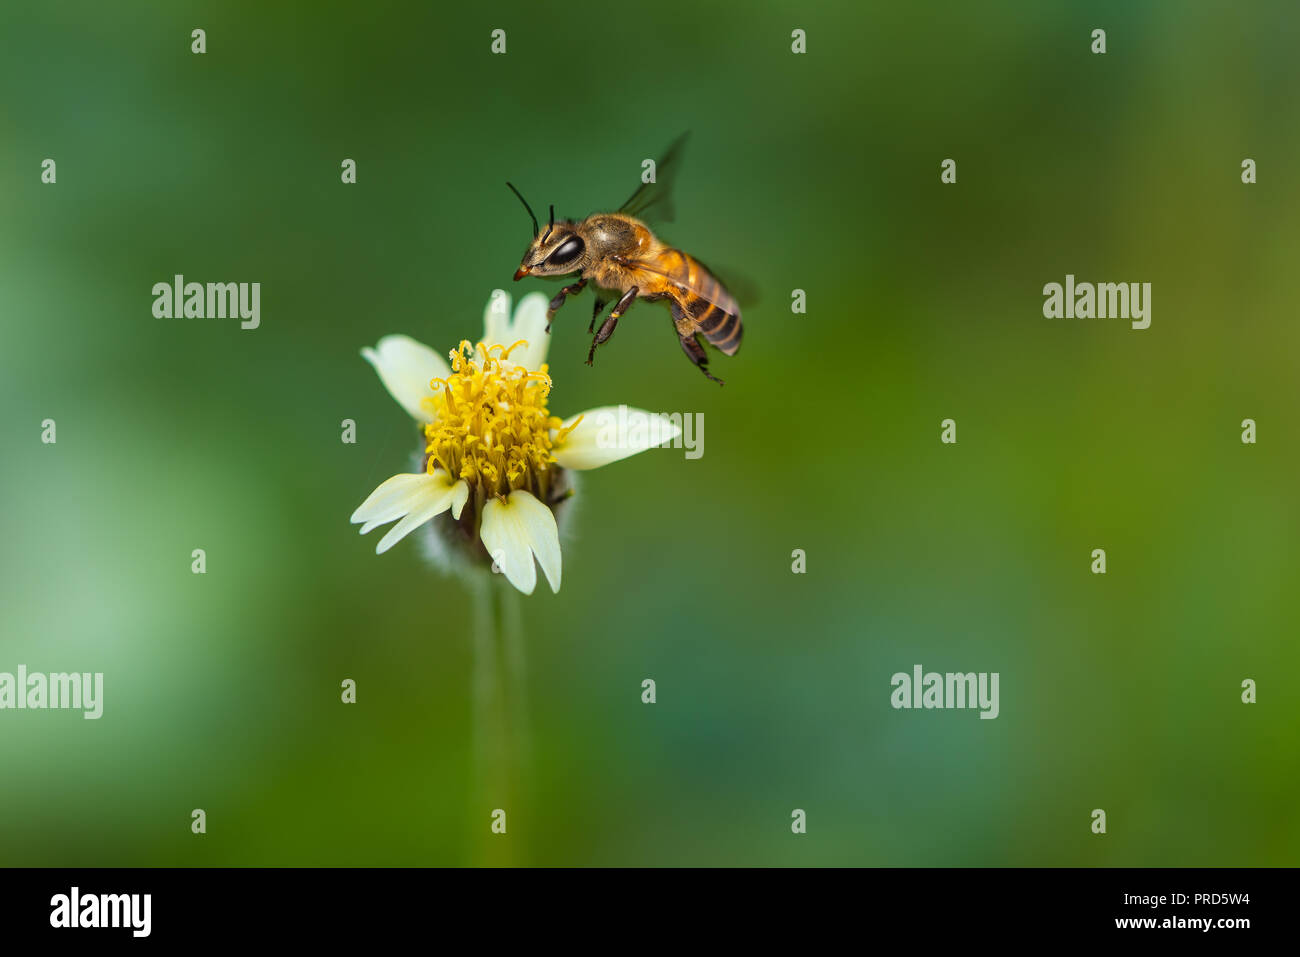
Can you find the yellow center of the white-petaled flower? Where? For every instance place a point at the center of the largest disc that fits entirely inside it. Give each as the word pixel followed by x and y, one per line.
pixel 491 426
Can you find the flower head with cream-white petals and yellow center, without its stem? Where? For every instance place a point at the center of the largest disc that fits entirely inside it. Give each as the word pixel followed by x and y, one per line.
pixel 495 464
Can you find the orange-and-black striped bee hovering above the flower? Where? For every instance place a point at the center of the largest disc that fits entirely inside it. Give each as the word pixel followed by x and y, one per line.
pixel 625 259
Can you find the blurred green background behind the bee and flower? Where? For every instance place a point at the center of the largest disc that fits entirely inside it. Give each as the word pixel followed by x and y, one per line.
pixel 817 172
